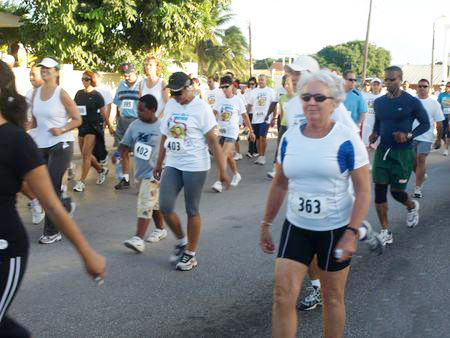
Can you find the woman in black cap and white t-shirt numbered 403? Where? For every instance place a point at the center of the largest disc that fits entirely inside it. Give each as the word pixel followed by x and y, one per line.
pixel 187 129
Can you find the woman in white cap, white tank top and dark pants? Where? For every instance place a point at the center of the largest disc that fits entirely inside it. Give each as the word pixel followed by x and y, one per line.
pixel 56 115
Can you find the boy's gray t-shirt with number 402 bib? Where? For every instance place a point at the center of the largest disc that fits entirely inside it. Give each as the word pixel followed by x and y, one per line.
pixel 143 139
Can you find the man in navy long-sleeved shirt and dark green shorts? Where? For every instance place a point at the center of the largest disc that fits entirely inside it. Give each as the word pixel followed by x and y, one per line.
pixel 395 113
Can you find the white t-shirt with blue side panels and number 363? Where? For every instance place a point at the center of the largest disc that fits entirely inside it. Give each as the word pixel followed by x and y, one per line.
pixel 318 170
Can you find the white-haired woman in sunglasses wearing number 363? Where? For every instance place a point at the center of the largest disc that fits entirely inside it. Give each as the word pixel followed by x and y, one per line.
pixel 316 162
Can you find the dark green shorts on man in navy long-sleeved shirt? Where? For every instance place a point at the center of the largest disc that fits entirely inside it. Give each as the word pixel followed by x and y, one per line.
pixel 393 167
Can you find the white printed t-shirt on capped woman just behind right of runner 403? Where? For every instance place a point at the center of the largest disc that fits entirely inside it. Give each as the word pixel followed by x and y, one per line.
pixel 229 112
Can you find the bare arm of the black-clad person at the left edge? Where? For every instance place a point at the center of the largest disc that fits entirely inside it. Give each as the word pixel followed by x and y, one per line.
pixel 39 182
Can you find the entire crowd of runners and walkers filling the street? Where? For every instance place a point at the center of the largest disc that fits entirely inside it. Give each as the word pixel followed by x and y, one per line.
pixel 334 141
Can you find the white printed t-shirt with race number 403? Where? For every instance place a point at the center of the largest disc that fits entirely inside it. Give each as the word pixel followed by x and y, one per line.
pixel 185 127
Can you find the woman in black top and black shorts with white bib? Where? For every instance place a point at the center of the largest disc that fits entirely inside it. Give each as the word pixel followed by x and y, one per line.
pixel 92 109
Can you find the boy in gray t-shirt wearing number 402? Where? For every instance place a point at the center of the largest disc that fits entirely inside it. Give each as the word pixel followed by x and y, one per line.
pixel 142 137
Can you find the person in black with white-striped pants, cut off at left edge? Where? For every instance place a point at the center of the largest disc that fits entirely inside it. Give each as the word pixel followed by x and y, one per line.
pixel 21 161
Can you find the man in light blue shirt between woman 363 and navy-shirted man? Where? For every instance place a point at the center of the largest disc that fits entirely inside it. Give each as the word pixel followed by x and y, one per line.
pixel 354 100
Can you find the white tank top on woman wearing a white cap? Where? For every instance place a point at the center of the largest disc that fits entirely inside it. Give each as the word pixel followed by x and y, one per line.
pixel 50 114
